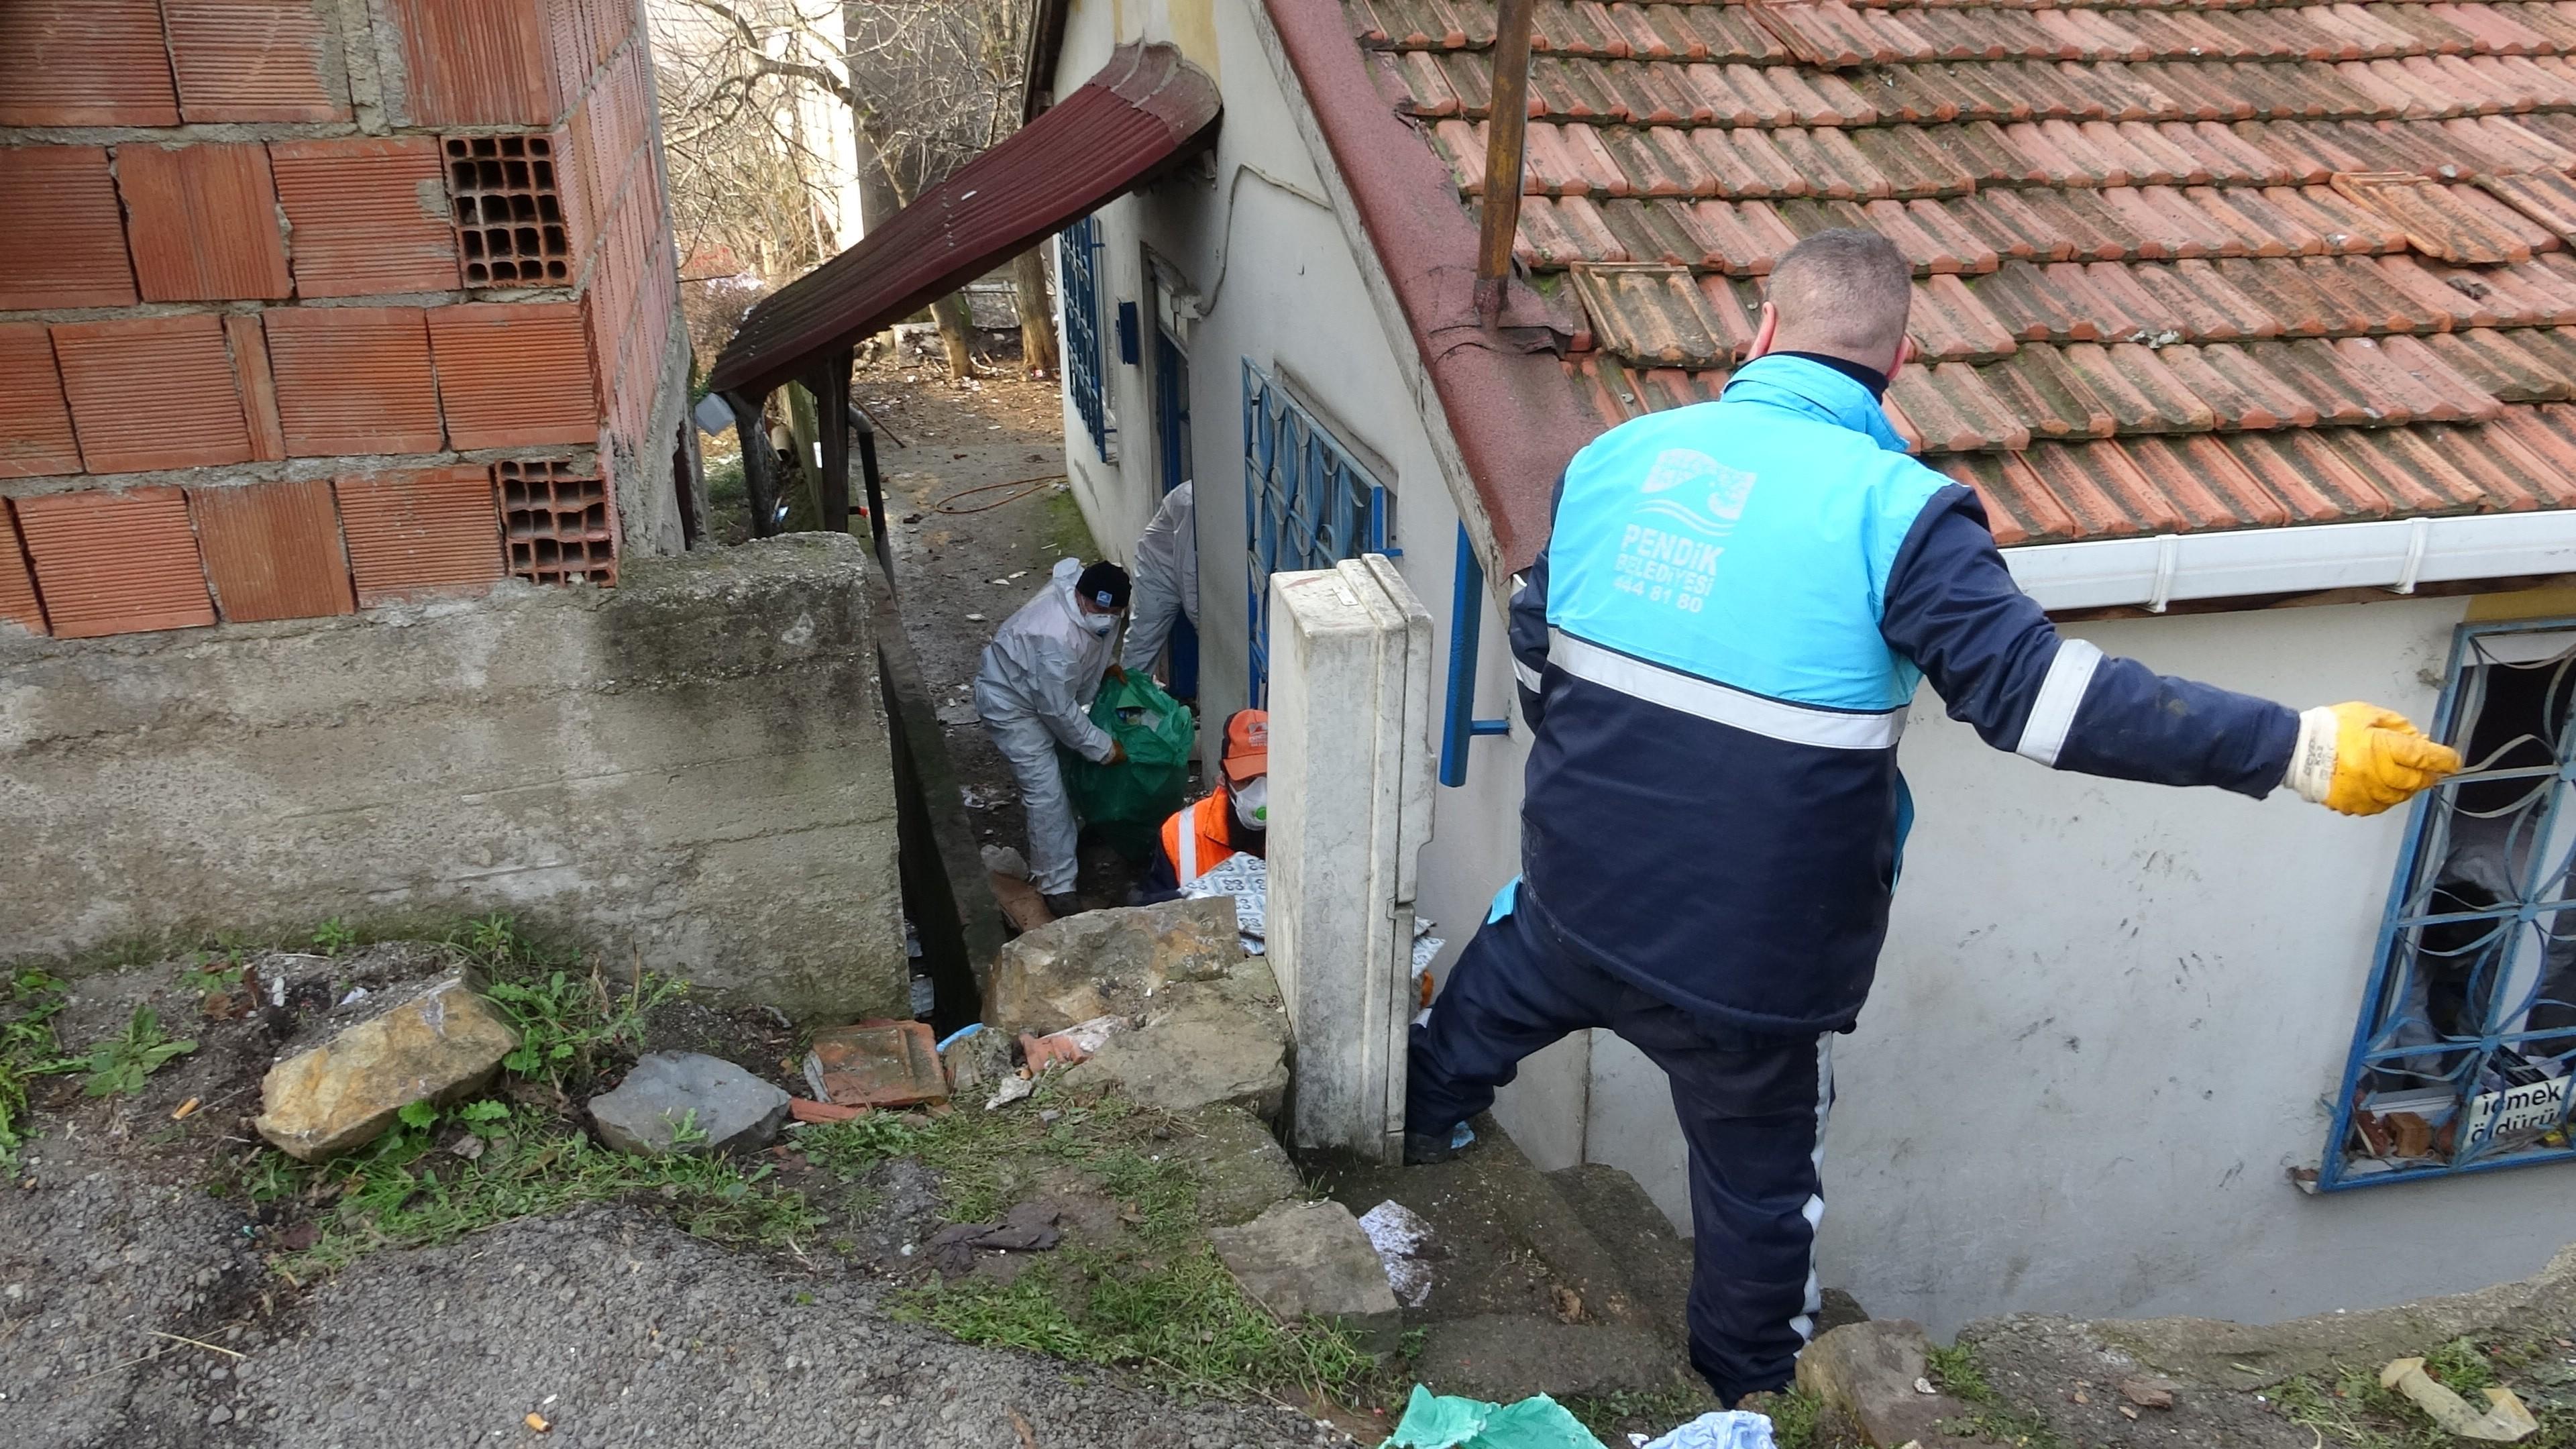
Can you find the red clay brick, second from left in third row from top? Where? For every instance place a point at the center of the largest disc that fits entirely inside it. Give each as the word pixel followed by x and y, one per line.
pixel 151 393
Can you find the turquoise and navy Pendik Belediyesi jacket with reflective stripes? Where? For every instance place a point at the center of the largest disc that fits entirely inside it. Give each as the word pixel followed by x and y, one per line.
pixel 1717 654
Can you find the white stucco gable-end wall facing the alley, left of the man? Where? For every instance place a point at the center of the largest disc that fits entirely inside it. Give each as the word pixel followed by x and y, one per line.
pixel 1276 285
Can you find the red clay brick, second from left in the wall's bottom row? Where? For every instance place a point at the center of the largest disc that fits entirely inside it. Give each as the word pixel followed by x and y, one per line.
pixel 115 563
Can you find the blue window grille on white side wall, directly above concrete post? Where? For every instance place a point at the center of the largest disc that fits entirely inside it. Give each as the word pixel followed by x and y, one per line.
pixel 1307 504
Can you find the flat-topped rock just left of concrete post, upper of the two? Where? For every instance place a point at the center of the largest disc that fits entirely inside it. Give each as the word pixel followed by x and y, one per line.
pixel 1109 963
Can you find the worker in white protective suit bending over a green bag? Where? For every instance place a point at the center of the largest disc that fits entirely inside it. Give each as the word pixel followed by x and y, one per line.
pixel 1034 692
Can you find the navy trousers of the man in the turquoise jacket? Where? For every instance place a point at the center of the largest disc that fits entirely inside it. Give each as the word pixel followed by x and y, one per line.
pixel 1753 1110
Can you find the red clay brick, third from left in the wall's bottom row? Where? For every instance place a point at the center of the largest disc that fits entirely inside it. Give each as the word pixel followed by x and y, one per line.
pixel 274 550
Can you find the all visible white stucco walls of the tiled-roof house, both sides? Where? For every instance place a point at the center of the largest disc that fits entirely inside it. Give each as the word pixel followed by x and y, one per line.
pixel 2106 1017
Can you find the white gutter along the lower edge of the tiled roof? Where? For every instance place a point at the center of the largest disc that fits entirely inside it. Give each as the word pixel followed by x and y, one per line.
pixel 2394 556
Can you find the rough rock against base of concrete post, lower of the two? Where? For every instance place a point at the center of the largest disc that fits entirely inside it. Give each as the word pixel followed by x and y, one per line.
pixel 1202 1045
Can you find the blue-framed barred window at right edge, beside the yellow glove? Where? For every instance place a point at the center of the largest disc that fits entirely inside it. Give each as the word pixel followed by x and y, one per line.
pixel 2469 1030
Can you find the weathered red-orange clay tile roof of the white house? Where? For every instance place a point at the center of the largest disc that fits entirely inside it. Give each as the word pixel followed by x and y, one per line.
pixel 2178 267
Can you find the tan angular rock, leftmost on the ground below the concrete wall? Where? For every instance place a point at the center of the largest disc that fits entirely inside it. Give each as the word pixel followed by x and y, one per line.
pixel 437 1045
